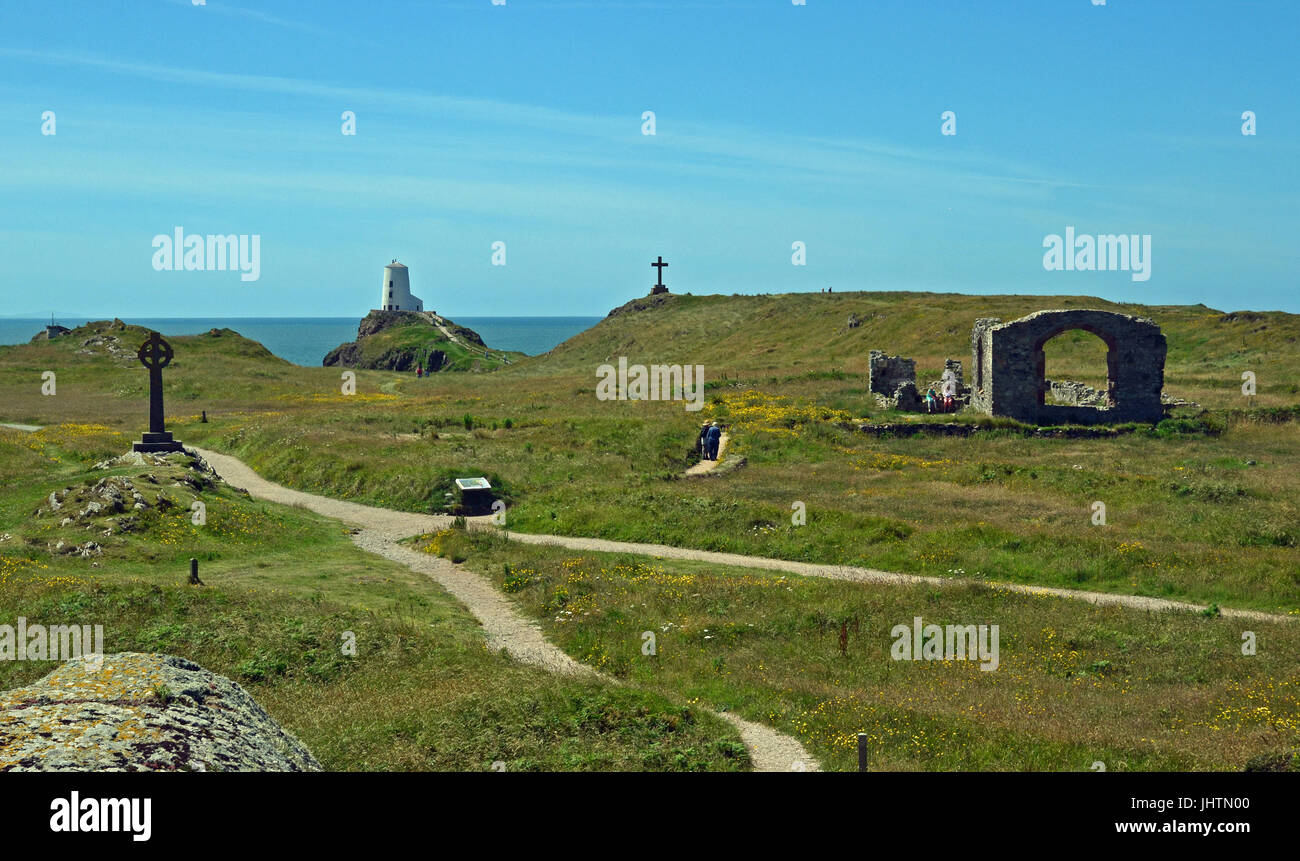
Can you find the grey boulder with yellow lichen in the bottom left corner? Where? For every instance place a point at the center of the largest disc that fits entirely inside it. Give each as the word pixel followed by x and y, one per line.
pixel 142 713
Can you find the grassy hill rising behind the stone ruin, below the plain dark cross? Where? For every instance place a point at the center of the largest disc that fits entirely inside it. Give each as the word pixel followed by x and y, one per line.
pixel 766 336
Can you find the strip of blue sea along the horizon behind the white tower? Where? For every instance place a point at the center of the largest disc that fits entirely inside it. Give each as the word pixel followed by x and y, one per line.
pixel 307 340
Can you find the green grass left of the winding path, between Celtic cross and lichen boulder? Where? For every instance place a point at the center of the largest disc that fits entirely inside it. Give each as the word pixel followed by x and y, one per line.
pixel 283 586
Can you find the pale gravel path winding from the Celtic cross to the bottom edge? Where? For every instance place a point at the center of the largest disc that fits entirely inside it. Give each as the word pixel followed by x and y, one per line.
pixel 506 628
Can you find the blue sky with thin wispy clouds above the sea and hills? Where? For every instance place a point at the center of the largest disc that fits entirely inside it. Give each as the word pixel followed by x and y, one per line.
pixel 522 123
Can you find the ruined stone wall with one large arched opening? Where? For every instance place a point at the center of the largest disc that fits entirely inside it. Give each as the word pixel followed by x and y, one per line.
pixel 1009 364
